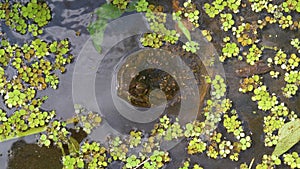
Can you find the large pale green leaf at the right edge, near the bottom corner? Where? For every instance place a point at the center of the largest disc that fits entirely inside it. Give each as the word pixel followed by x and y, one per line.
pixel 289 135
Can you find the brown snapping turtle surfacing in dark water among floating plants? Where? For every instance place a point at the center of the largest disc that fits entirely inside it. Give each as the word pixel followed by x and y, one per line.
pixel 143 72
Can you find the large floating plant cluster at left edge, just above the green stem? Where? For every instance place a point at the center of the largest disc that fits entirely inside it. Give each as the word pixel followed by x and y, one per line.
pixel 33 71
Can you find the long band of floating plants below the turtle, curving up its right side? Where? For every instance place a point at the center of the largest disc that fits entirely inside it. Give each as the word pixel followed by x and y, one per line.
pixel 142 150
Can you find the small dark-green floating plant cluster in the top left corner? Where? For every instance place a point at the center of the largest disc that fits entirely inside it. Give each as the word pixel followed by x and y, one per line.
pixel 30 17
